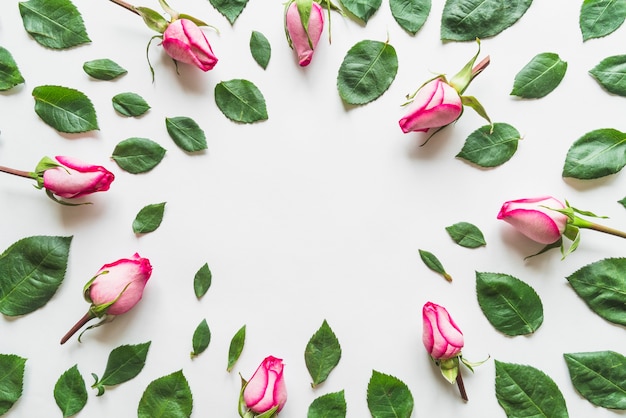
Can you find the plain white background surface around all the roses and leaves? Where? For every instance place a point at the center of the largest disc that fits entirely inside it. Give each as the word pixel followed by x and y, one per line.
pixel 317 213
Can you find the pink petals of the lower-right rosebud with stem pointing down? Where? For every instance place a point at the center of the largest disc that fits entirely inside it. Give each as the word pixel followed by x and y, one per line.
pixel 441 336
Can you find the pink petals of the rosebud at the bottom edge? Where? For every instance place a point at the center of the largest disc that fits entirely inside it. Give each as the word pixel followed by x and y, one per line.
pixel 266 388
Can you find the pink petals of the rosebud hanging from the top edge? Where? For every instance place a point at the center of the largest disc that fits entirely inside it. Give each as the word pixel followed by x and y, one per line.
pixel 303 41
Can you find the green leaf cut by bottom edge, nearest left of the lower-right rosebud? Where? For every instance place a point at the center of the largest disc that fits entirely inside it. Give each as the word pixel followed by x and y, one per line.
pixel 388 396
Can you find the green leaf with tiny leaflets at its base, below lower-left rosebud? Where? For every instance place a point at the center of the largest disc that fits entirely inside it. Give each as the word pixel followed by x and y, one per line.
pixel 124 363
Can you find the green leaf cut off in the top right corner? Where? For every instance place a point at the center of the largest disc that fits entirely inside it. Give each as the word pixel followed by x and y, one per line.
pixel 599 18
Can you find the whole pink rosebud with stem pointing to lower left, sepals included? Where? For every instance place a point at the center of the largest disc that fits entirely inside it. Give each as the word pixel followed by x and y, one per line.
pixel 115 289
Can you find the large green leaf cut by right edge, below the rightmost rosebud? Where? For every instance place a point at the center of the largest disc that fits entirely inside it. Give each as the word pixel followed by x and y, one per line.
pixel 602 285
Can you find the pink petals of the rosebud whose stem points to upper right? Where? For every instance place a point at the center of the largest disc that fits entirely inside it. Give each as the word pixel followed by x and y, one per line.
pixel 435 105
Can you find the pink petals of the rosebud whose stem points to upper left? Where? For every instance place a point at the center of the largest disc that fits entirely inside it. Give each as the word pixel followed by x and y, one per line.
pixel 184 41
